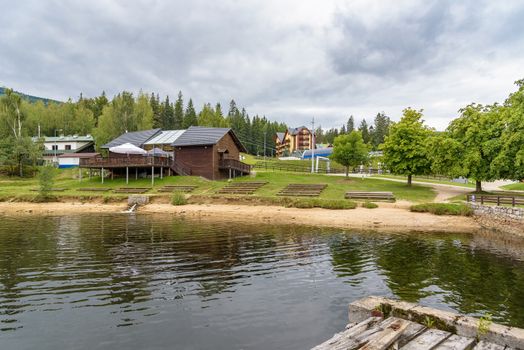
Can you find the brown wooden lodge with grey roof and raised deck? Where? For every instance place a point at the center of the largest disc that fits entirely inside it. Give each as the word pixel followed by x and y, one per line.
pixel 213 153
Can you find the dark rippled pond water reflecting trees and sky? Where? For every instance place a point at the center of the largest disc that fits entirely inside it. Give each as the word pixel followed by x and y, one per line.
pixel 154 282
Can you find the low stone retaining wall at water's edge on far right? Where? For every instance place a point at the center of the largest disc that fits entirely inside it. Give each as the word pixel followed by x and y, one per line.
pixel 506 219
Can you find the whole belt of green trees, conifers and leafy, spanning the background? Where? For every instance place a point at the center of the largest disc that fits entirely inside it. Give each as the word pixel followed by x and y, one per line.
pixel 484 143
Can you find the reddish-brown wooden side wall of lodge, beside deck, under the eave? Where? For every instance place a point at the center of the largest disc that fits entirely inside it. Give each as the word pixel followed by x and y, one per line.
pixel 198 158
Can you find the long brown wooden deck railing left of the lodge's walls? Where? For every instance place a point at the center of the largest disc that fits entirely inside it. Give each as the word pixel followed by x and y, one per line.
pixel 122 162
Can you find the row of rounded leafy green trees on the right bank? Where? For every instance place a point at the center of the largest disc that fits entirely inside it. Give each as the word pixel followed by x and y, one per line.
pixel 485 143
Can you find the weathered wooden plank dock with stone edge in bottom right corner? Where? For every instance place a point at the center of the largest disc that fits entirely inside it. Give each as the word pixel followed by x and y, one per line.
pixel 409 326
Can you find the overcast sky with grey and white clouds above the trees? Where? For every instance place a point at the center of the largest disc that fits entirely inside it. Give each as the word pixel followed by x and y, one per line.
pixel 288 60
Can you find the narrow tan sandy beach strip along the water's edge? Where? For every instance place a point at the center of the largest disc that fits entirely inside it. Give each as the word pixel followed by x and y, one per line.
pixel 392 219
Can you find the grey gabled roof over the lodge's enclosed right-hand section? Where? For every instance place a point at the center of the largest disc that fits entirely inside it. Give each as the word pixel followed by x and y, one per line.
pixel 200 136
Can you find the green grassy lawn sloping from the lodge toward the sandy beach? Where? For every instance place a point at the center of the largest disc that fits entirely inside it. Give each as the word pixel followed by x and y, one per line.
pixel 21 189
